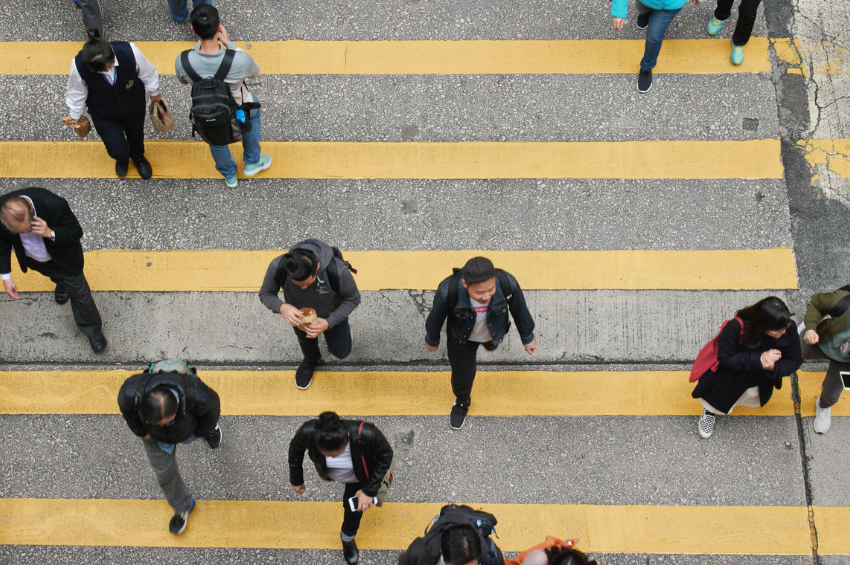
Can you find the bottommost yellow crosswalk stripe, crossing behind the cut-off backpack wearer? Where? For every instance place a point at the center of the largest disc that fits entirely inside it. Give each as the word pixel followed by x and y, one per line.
pixel 765 530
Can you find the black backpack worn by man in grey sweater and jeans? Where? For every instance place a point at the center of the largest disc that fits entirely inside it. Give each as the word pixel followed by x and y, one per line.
pixel 213 113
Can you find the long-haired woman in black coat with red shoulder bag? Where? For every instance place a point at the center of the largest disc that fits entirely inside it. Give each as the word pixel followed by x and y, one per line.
pixel 752 361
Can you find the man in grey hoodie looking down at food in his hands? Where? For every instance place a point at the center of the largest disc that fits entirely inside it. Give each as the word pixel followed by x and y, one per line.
pixel 313 275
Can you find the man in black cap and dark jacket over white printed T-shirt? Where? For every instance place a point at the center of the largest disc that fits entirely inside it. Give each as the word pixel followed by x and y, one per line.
pixel 476 301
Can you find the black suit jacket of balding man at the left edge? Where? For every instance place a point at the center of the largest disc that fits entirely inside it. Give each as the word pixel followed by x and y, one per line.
pixel 66 250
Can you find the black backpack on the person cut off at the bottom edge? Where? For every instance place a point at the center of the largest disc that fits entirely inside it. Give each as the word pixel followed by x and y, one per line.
pixel 453 515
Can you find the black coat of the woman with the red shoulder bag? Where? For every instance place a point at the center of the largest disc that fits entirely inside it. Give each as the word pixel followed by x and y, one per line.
pixel 740 367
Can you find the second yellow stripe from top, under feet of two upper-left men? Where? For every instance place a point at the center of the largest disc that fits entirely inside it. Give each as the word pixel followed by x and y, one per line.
pixel 755 159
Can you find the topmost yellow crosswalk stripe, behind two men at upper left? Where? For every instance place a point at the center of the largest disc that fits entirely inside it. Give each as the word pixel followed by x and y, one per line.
pixel 693 56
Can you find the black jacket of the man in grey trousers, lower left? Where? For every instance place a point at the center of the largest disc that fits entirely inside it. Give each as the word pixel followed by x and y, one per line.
pixel 198 407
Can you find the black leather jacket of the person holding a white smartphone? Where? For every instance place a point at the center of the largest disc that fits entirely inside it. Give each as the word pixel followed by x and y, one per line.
pixel 371 454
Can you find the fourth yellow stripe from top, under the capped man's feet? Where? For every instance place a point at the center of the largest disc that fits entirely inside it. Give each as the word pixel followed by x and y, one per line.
pixel 401 393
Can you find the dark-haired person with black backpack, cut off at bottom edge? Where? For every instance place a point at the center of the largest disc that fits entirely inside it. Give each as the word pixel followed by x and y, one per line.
pixel 458 536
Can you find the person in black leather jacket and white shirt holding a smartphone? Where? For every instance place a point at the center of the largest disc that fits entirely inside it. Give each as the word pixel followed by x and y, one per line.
pixel 345 451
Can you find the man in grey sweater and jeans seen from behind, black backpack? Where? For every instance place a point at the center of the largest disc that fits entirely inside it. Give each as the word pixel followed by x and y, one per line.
pixel 224 109
